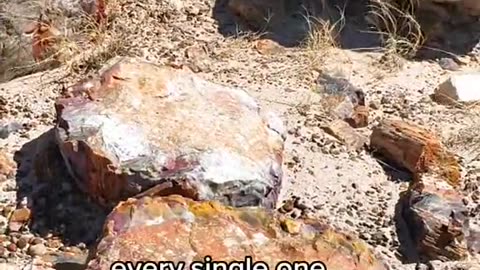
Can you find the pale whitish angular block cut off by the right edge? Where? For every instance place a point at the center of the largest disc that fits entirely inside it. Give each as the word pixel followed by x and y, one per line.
pixel 460 87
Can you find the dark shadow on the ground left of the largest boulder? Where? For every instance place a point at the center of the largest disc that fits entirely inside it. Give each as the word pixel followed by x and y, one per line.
pixel 58 207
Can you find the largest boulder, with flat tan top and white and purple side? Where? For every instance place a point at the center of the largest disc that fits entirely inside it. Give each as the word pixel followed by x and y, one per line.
pixel 140 126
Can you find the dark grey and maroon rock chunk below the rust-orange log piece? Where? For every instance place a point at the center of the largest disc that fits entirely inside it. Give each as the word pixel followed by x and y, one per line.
pixel 437 219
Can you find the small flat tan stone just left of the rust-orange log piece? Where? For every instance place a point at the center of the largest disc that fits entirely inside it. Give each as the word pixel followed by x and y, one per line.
pixel 345 133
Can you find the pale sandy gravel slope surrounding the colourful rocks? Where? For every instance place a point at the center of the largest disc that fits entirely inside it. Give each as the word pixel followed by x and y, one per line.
pixel 354 191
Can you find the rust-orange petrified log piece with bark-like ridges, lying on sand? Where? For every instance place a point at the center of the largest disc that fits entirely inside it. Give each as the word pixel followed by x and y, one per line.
pixel 415 149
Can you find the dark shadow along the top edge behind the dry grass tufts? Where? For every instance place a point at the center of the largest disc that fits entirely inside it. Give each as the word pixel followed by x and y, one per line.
pixel 286 22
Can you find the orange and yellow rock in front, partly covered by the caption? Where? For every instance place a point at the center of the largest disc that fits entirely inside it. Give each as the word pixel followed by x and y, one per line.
pixel 178 229
